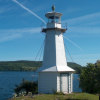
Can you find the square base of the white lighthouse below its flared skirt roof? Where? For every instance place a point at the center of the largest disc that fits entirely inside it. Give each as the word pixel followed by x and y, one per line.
pixel 51 82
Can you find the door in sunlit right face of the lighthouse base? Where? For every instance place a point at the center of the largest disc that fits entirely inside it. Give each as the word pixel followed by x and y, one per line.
pixel 64 83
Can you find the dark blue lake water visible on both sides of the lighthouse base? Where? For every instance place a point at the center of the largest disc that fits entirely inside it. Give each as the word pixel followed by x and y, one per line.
pixel 8 80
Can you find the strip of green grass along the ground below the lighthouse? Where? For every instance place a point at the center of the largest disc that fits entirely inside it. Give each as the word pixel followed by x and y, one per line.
pixel 74 96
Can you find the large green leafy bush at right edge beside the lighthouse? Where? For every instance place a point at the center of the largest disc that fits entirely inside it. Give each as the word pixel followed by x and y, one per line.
pixel 90 78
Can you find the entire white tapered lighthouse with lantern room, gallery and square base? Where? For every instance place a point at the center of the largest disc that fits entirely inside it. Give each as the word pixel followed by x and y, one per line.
pixel 54 75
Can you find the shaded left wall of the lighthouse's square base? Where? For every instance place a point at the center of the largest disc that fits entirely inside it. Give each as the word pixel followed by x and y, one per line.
pixel 47 82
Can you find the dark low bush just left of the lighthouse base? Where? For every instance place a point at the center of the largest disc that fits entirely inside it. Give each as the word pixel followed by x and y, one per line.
pixel 26 87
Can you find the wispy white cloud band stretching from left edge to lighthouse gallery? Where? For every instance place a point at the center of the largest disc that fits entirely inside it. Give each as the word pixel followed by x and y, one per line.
pixel 11 34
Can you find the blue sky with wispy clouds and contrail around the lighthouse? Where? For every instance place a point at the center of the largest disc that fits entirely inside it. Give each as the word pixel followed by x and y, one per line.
pixel 20 29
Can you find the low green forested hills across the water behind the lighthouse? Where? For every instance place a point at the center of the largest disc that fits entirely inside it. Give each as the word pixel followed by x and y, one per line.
pixel 29 65
